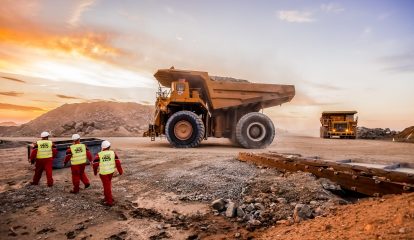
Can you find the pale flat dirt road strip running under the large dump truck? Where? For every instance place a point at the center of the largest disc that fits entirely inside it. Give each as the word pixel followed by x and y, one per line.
pixel 330 149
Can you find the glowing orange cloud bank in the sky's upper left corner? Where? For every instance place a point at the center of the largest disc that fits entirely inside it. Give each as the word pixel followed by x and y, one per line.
pixel 20 26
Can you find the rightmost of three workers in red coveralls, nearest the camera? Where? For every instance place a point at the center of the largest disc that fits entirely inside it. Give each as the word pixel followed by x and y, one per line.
pixel 107 161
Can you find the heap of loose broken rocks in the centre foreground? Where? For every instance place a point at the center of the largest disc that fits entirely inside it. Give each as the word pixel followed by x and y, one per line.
pixel 290 199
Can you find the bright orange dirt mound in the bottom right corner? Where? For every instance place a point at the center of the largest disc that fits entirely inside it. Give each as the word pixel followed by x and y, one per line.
pixel 391 217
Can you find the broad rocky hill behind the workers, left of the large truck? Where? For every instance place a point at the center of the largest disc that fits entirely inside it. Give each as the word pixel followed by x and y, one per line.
pixel 88 119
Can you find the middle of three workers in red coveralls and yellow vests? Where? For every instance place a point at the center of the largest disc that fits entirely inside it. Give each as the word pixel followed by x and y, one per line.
pixel 78 155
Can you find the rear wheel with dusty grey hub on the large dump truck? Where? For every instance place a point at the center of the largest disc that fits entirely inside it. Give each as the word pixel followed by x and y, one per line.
pixel 255 130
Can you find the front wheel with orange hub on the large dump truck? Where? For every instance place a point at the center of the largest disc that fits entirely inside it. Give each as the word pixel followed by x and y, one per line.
pixel 184 129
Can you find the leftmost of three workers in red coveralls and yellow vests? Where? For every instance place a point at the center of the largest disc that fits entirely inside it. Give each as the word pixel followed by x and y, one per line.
pixel 42 155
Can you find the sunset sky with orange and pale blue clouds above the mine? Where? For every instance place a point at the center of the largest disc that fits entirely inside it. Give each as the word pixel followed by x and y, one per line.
pixel 340 55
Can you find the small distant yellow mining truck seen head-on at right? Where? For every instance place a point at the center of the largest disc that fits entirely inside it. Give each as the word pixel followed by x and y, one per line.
pixel 342 124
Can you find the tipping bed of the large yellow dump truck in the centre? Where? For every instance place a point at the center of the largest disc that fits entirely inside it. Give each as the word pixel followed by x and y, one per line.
pixel 229 94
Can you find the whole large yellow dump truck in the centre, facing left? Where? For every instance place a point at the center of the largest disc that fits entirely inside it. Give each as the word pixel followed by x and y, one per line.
pixel 197 106
